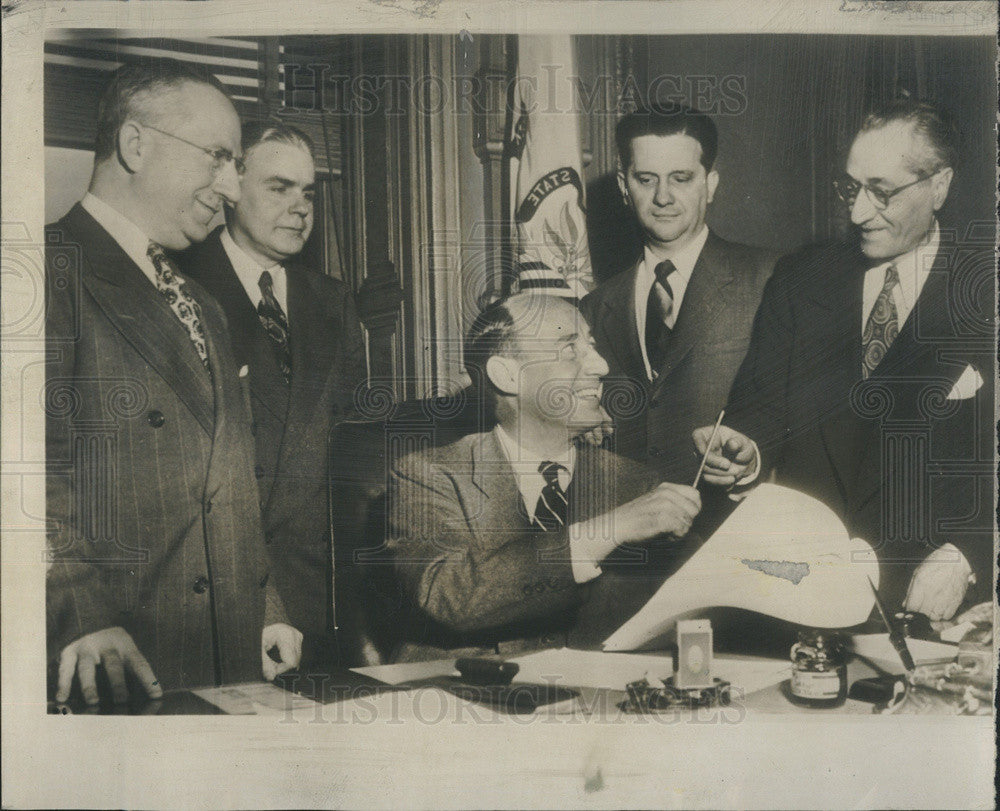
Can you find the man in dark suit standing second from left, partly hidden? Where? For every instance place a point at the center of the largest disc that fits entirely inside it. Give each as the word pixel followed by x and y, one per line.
pixel 298 332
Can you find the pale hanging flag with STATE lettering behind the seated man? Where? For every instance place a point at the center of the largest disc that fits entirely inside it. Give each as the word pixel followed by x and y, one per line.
pixel 546 167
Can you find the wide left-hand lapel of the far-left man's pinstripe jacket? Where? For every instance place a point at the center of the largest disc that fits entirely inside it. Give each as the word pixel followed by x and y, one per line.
pixel 137 310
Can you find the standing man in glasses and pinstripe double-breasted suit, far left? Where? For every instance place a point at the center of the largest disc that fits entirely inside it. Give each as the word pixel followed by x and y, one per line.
pixel 157 570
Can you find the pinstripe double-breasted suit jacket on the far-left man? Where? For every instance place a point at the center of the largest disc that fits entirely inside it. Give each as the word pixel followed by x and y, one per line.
pixel 151 510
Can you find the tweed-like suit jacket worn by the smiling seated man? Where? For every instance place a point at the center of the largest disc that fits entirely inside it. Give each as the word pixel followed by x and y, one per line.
pixel 480 579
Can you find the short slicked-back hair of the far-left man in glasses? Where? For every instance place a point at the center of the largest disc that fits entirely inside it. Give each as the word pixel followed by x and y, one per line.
pixel 133 82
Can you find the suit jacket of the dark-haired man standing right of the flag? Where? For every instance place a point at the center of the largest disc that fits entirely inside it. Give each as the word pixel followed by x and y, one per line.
pixel 654 420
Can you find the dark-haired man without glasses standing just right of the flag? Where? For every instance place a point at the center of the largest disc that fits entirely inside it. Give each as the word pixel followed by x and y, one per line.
pixel 674 326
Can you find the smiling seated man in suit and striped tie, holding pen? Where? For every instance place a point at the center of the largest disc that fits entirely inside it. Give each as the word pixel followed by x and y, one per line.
pixel 501 539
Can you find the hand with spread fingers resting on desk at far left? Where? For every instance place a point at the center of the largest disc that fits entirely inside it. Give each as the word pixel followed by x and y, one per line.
pixel 116 650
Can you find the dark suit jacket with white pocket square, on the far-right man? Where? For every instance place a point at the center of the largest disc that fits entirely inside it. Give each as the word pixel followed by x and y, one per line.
pixel 906 467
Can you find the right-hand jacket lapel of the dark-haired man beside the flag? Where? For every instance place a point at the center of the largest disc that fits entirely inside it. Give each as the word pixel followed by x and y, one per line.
pixel 705 298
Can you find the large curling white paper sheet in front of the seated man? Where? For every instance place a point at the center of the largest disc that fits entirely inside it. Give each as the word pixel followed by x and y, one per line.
pixel 780 553
